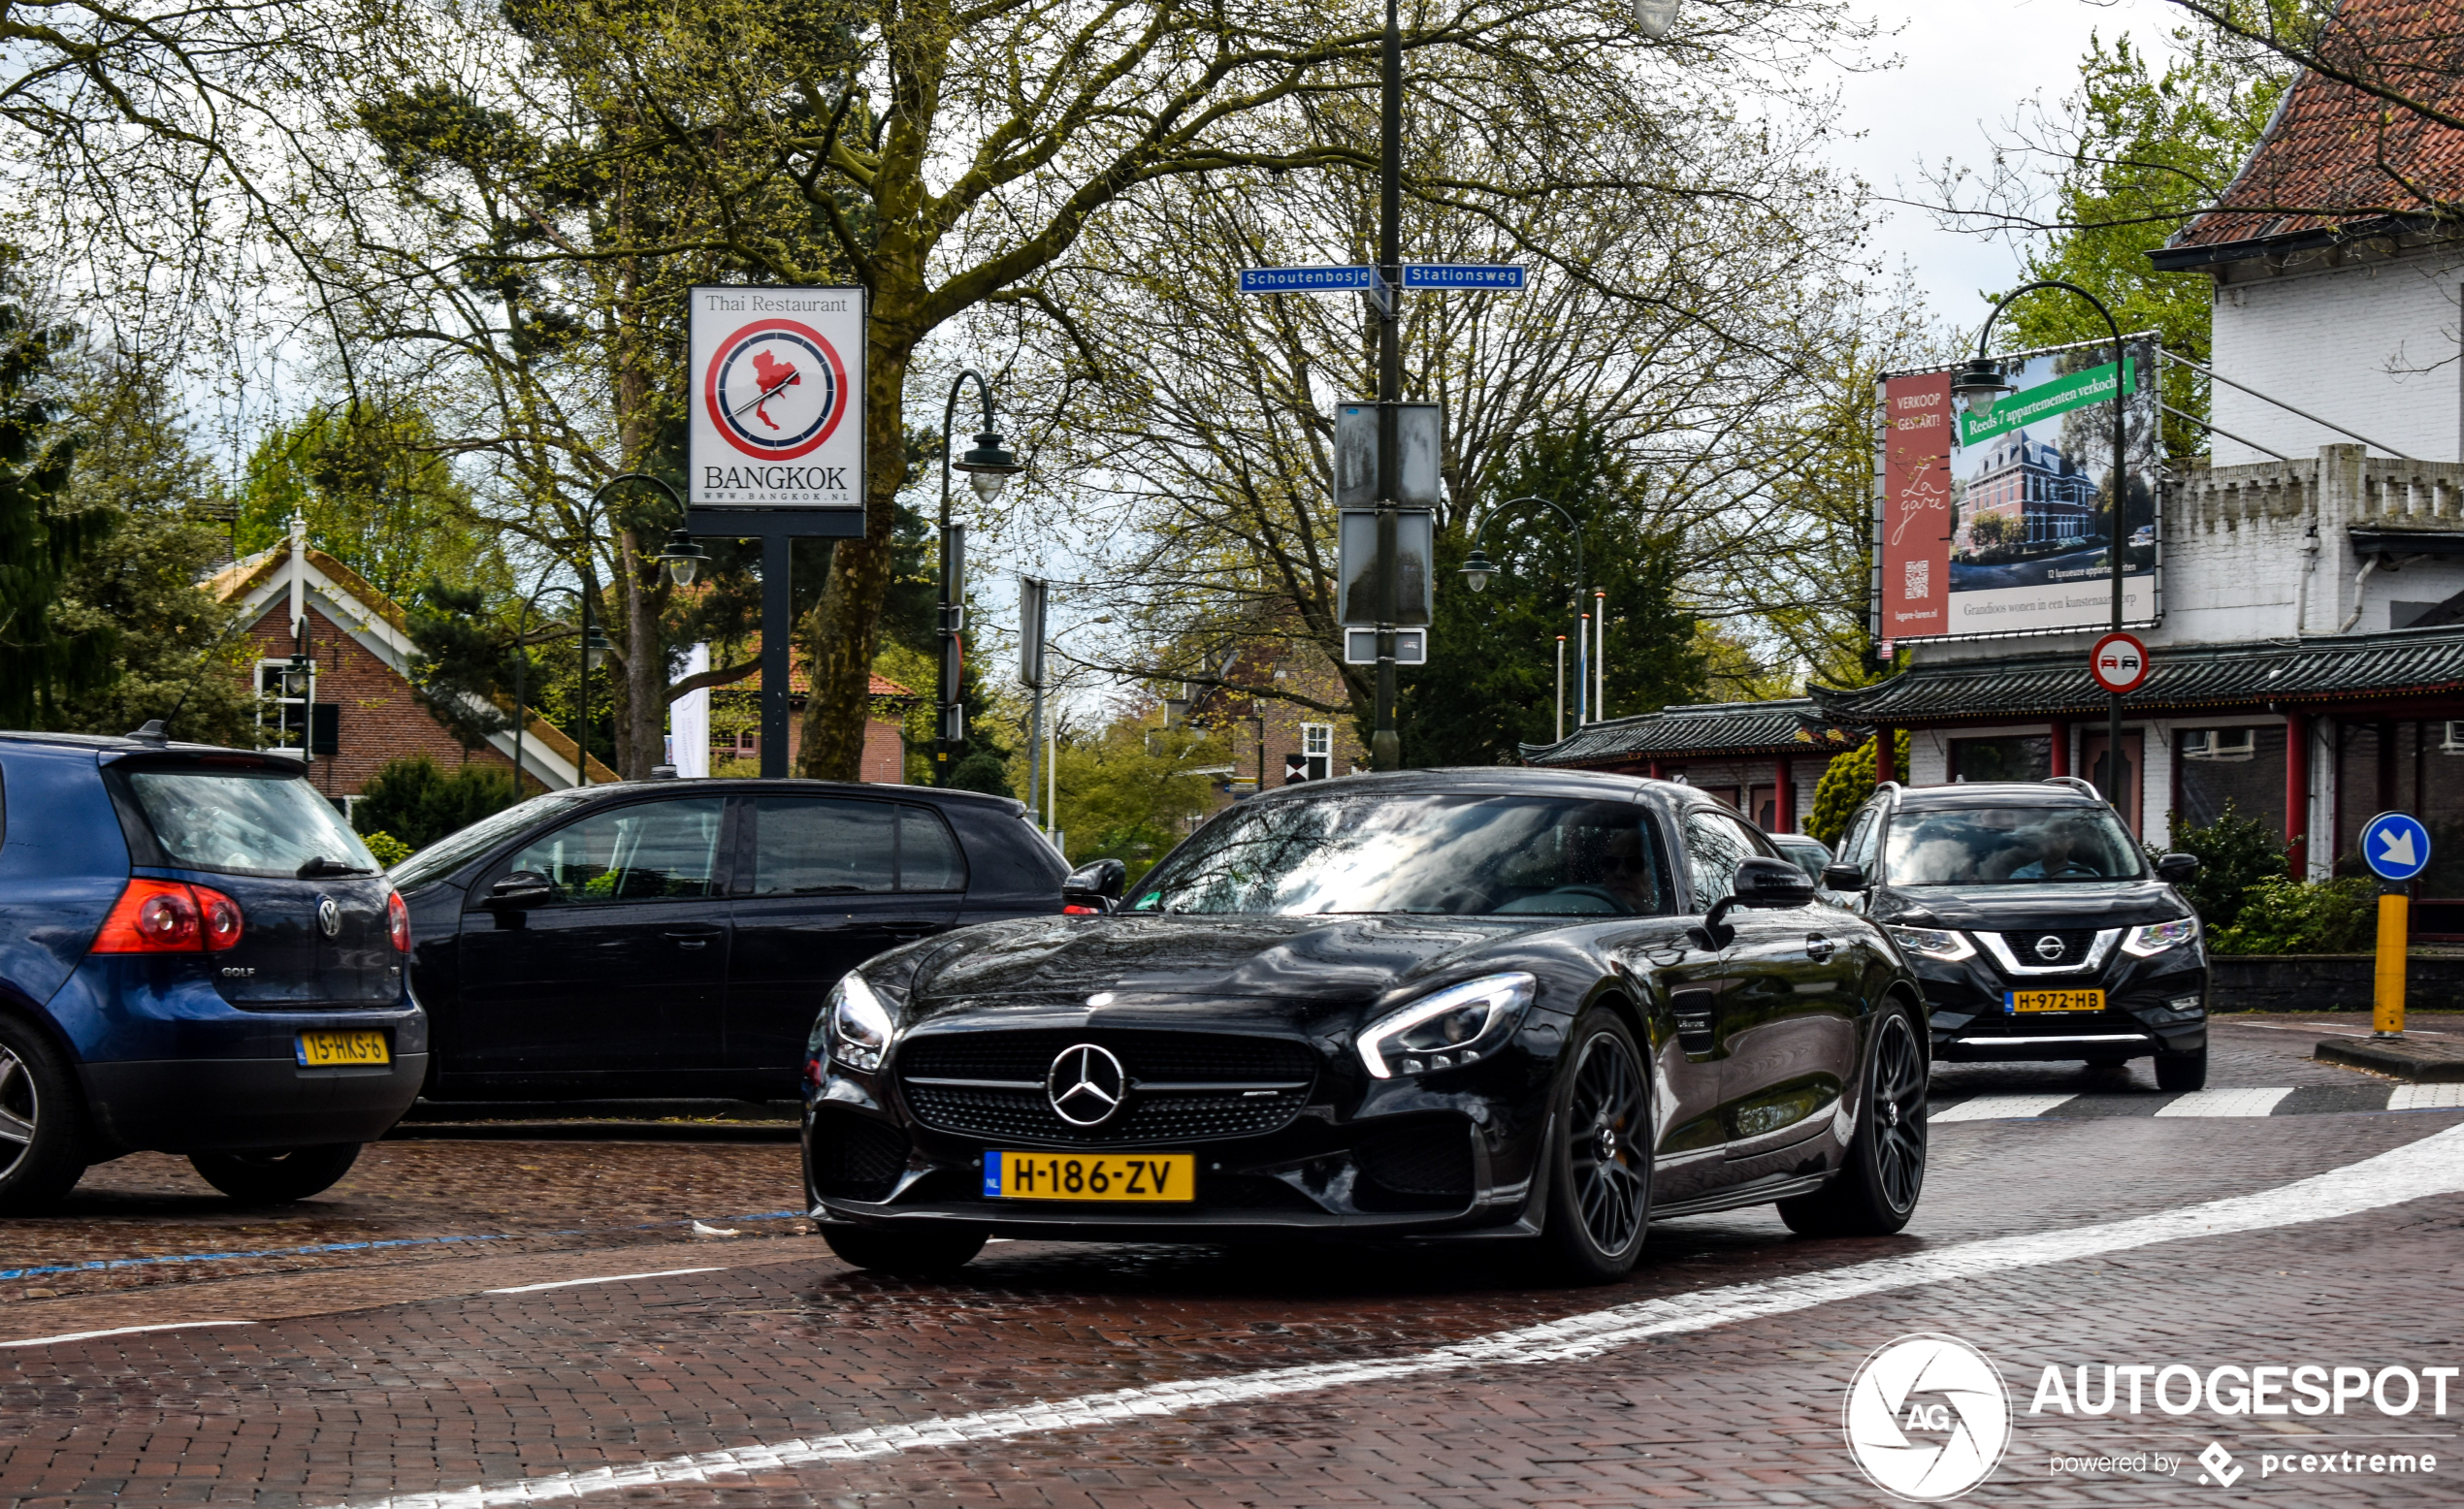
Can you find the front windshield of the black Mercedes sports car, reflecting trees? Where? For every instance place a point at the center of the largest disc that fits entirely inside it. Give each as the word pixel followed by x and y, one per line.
pixel 1438 853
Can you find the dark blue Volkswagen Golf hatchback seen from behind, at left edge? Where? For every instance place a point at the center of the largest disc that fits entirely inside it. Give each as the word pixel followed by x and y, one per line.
pixel 196 956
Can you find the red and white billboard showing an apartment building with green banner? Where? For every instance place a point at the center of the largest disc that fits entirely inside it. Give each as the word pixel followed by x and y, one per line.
pixel 2002 523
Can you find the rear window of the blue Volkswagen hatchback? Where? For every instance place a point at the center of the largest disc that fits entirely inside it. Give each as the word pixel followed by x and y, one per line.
pixel 245 821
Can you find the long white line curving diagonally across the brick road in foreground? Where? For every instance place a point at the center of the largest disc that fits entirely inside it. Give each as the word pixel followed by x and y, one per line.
pixel 2418 1171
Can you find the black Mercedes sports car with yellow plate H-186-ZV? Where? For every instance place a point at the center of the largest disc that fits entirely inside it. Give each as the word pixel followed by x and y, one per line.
pixel 1440 1006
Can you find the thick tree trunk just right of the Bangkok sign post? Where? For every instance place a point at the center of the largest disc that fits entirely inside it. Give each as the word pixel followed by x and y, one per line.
pixel 841 634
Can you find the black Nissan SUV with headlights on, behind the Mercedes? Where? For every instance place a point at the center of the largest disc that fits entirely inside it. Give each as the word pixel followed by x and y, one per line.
pixel 2036 924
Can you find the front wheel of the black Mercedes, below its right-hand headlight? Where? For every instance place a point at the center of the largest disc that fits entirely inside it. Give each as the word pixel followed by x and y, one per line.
pixel 1600 1156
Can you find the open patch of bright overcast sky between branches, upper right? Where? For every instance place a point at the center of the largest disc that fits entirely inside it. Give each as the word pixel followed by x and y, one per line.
pixel 1968 70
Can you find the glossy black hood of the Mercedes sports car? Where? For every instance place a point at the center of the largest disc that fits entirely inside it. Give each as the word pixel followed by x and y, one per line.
pixel 1302 961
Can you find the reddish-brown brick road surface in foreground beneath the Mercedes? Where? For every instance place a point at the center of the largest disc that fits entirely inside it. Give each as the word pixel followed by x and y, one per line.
pixel 474 1390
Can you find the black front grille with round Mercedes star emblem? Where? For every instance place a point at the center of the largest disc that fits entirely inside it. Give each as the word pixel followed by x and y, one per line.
pixel 1184 1087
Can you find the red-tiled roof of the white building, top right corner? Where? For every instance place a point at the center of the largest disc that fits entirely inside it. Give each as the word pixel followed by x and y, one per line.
pixel 2335 154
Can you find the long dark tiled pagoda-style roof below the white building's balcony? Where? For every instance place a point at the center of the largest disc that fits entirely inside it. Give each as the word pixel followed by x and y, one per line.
pixel 2182 678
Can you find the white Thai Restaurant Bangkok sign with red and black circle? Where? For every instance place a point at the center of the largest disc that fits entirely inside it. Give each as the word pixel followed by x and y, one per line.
pixel 777 405
